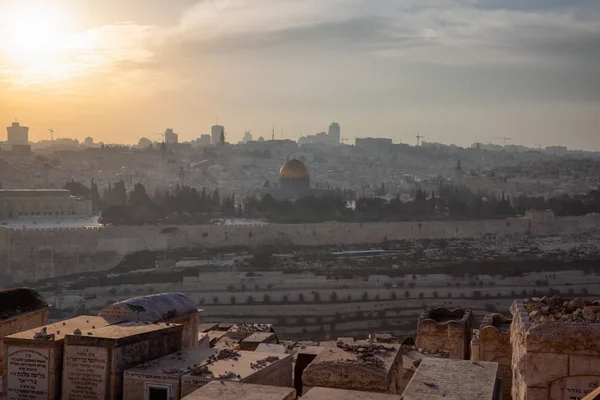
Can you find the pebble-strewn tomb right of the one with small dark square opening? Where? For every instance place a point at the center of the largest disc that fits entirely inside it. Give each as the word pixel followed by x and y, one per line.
pixel 260 368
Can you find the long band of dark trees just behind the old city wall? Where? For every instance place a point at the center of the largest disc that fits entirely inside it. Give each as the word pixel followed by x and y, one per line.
pixel 450 202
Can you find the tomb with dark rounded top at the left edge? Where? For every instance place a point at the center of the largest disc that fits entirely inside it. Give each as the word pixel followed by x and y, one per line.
pixel 20 309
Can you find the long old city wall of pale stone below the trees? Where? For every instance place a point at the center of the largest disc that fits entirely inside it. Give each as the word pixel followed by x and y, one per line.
pixel 39 254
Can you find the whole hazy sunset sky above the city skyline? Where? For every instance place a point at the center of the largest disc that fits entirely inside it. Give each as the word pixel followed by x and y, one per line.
pixel 454 71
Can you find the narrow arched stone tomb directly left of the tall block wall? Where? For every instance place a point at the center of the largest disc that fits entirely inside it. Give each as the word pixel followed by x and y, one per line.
pixel 493 344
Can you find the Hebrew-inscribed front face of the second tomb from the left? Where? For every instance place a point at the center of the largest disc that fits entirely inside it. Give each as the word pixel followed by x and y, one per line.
pixel 85 373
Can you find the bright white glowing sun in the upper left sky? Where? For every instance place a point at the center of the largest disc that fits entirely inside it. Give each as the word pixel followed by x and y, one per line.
pixel 35 33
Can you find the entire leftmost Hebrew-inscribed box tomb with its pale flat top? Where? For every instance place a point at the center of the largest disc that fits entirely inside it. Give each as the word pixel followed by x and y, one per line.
pixel 34 358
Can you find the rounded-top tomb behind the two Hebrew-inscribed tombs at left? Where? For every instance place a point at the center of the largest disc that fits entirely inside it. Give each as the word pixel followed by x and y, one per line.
pixel 161 307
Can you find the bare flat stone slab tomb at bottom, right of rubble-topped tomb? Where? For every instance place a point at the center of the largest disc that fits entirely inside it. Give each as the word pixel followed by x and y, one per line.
pixel 438 379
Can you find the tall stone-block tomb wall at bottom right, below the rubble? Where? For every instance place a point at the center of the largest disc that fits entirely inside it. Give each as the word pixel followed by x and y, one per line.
pixel 558 360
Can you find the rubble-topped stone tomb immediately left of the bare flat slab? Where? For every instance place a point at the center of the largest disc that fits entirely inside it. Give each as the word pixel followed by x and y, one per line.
pixel 361 365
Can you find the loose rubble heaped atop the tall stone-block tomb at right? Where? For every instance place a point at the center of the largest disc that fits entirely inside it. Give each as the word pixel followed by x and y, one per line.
pixel 555 309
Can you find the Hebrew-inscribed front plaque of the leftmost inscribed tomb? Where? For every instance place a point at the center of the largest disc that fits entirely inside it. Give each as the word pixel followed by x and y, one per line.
pixel 27 374
